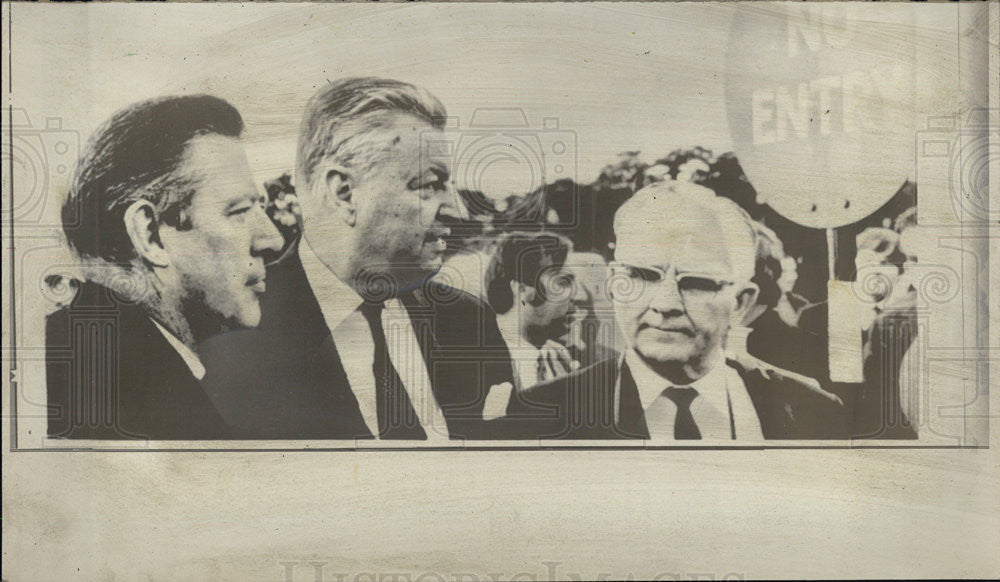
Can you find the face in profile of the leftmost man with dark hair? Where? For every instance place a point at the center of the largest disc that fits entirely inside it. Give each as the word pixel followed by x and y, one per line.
pixel 218 256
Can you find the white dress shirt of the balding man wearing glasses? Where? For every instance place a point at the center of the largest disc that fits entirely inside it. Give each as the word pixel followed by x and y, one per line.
pixel 723 405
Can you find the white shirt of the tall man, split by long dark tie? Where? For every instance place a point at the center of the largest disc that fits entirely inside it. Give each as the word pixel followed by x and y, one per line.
pixel 352 336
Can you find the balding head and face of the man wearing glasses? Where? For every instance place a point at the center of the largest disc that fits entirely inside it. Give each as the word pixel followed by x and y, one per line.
pixel 681 276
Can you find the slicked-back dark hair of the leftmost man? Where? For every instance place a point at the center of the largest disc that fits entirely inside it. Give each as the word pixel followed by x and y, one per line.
pixel 136 155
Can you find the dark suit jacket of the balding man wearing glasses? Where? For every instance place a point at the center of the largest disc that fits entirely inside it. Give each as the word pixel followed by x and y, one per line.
pixel 581 405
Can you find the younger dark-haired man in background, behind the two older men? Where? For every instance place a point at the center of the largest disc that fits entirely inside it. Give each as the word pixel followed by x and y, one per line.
pixel 532 294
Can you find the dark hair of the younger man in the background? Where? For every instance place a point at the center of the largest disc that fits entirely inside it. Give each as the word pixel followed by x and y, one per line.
pixel 521 256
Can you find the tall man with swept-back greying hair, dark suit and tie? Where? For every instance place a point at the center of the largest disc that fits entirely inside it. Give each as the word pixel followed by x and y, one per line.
pixel 356 341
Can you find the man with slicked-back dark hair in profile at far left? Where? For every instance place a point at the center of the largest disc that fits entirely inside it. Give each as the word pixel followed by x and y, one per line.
pixel 171 238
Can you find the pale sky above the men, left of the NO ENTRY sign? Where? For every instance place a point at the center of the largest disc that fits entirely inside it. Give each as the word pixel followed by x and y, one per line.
pixel 583 65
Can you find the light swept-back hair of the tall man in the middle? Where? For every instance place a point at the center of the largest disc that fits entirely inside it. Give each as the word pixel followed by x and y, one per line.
pixel 346 108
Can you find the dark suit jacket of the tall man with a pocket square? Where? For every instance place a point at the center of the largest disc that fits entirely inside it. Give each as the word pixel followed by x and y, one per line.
pixel 286 379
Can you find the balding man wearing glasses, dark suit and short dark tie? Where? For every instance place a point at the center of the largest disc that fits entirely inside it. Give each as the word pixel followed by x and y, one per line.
pixel 681 278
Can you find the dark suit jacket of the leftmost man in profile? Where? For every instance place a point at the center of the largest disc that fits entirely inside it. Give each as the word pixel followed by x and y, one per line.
pixel 111 374
